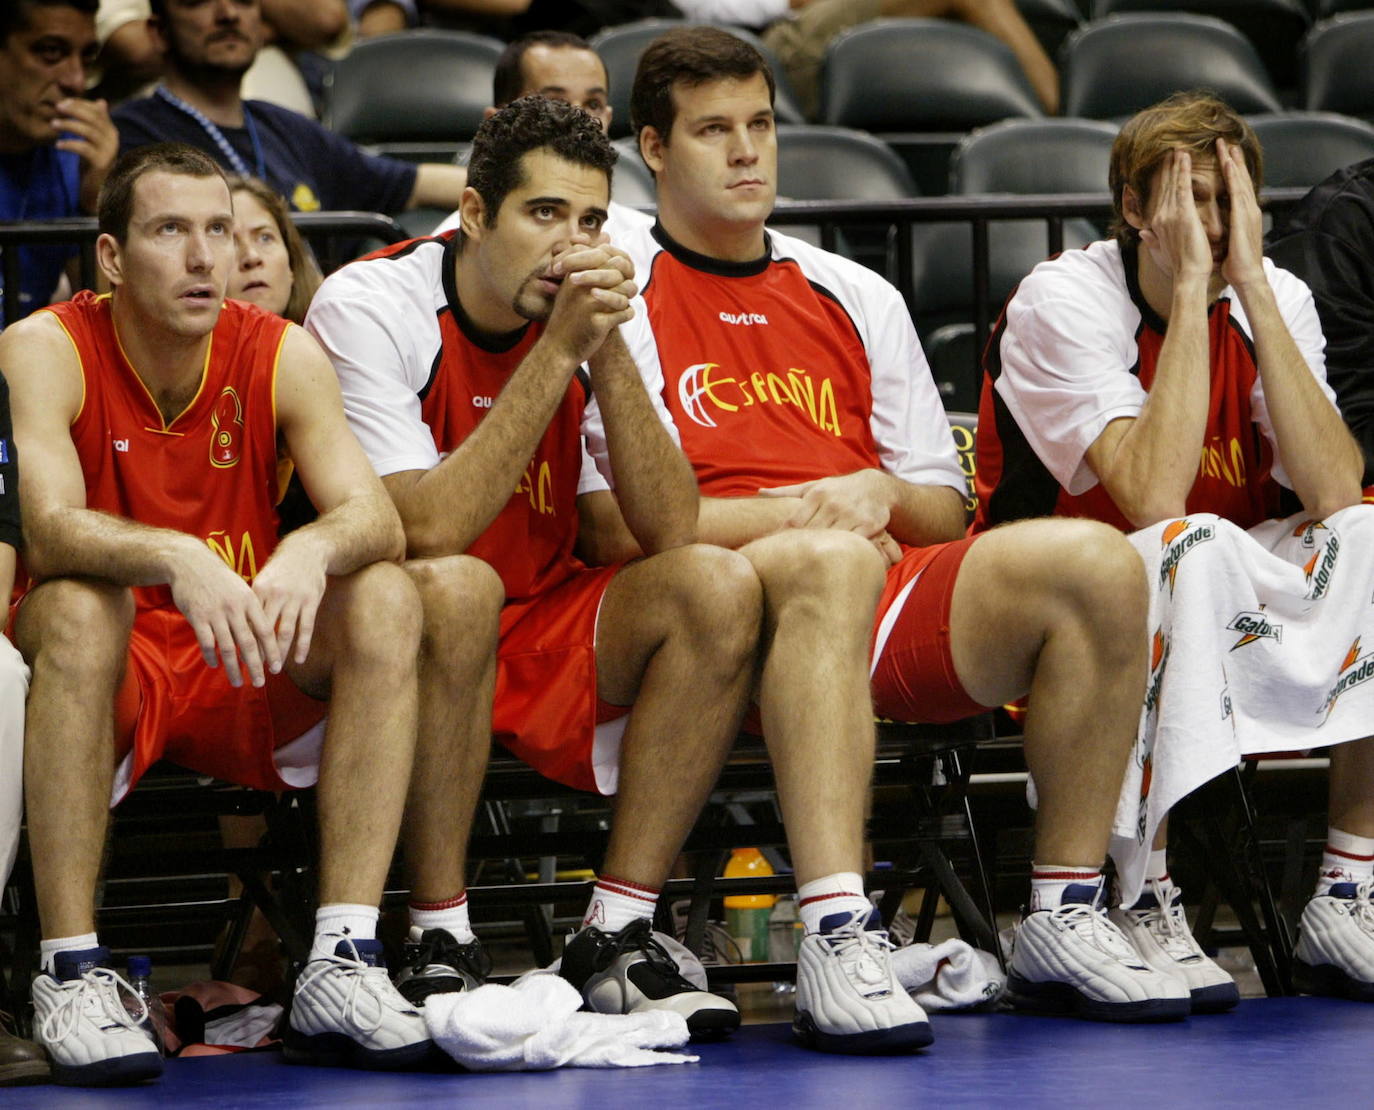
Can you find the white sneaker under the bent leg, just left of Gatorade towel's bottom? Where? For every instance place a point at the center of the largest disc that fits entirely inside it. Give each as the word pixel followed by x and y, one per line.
pixel 1072 960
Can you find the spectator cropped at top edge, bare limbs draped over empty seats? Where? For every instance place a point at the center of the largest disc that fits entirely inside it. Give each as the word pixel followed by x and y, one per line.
pixel 799 32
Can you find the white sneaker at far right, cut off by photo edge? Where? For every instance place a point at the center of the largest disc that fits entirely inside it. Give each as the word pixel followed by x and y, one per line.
pixel 1335 953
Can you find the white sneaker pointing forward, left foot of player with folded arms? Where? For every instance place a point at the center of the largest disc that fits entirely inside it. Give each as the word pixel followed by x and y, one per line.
pixel 848 998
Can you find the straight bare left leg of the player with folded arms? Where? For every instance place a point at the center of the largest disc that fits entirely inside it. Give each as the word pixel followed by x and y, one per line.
pixel 821 593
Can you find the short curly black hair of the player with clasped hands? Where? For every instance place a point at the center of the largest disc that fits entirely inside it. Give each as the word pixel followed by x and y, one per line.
pixel 532 123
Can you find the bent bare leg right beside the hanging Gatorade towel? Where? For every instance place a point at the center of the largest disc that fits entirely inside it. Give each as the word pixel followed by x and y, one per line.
pixel 1057 609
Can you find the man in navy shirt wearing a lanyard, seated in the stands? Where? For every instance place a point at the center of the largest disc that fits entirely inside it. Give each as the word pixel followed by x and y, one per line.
pixel 208 47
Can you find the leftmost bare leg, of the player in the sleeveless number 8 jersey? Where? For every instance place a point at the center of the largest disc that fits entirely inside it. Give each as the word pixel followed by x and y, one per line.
pixel 75 637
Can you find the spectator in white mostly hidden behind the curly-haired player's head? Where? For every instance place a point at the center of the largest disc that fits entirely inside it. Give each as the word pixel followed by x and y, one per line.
pixel 561 67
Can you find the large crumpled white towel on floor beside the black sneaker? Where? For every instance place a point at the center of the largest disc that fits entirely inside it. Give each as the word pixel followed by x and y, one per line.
pixel 535 1026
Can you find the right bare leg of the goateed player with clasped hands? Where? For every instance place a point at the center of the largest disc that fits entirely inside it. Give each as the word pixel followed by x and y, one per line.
pixel 677 638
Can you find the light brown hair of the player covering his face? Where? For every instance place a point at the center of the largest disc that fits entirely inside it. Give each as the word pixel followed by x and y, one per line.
pixel 1191 122
